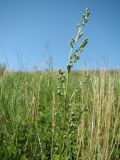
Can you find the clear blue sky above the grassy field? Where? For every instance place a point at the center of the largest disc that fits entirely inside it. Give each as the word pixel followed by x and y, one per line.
pixel 27 26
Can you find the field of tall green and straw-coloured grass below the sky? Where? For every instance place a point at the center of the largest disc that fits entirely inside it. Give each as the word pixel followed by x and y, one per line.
pixel 38 123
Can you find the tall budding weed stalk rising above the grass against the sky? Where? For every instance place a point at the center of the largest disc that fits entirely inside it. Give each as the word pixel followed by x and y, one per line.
pixel 74 56
